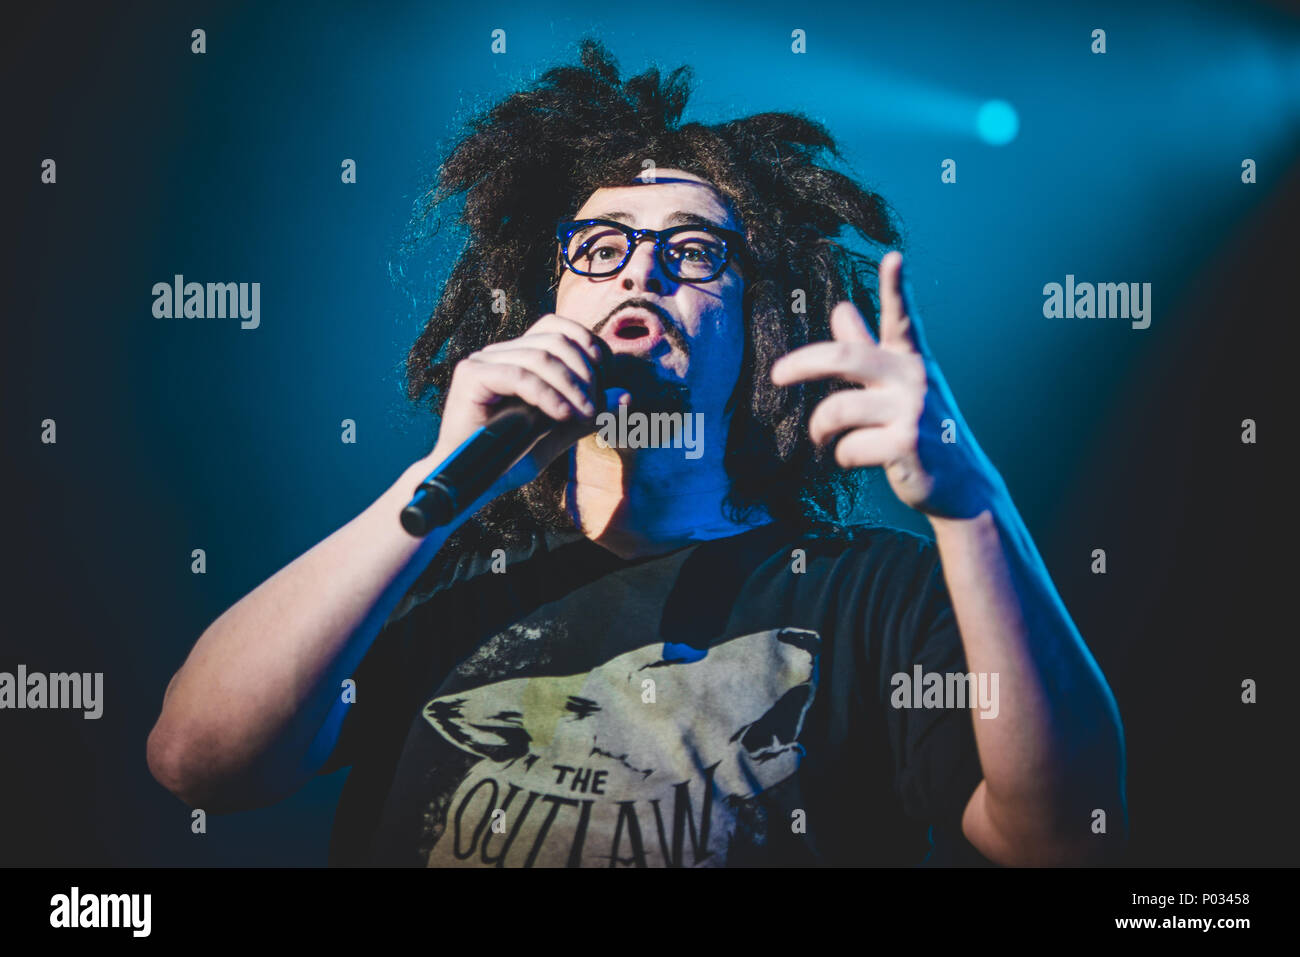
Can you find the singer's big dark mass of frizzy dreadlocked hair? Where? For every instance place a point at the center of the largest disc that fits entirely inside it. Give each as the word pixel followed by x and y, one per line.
pixel 538 155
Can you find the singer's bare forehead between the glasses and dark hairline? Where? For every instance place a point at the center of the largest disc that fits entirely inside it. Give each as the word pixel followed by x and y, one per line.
pixel 674 197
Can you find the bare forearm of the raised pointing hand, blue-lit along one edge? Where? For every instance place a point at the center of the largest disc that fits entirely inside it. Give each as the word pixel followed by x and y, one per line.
pixel 1055 752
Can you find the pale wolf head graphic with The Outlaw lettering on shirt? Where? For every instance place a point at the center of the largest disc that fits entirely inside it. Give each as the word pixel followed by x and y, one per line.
pixel 647 760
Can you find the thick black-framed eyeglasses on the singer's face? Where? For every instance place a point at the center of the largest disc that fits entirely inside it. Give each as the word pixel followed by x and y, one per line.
pixel 690 254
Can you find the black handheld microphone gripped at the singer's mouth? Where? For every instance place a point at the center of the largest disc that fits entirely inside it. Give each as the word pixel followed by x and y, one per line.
pixel 486 457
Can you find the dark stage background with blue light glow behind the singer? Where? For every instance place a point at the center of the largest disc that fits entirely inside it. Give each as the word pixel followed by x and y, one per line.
pixel 196 434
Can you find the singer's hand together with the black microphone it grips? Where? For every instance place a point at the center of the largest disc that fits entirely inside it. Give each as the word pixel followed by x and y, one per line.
pixel 512 409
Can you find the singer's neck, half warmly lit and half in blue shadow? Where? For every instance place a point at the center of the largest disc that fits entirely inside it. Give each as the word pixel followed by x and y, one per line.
pixel 639 503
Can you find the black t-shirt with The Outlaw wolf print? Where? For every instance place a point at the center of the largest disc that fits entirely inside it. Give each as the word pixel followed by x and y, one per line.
pixel 726 704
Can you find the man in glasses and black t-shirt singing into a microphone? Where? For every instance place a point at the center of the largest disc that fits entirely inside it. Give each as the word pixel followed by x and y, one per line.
pixel 627 656
